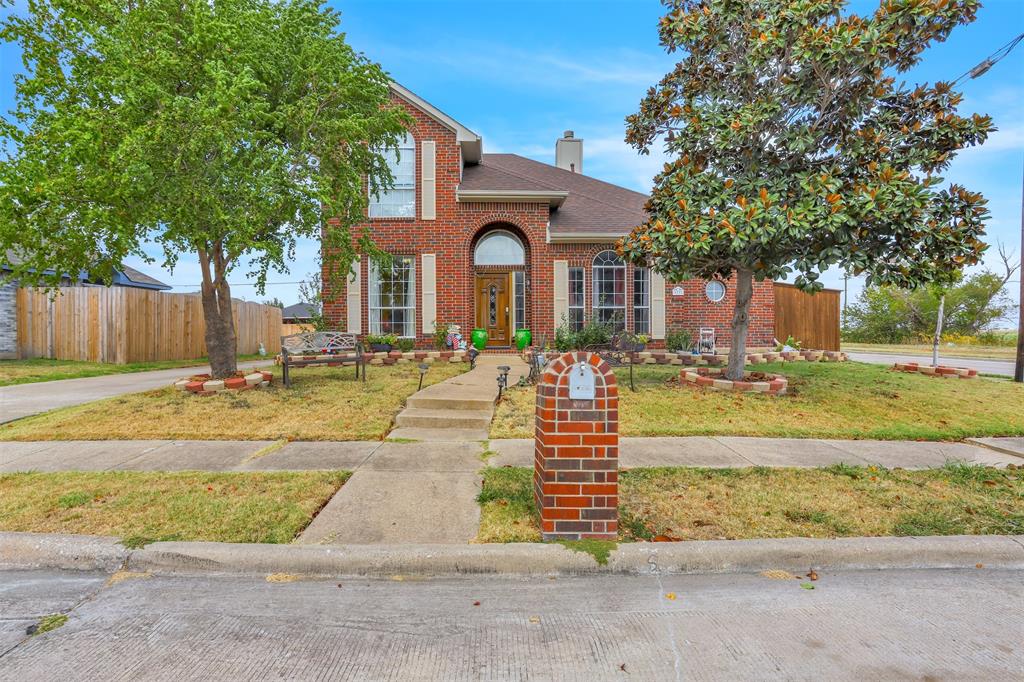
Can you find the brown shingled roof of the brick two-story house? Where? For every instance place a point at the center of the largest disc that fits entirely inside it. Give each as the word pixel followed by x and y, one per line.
pixel 591 209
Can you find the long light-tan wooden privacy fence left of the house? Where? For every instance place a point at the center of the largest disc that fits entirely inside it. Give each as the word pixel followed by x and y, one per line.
pixel 123 325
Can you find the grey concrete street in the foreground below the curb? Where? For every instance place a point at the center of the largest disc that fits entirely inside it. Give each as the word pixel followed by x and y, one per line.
pixel 854 626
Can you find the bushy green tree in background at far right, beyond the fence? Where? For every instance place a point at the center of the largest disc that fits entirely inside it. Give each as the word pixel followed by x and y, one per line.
pixel 973 305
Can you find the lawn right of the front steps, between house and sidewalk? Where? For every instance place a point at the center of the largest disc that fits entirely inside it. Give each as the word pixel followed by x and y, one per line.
pixel 827 401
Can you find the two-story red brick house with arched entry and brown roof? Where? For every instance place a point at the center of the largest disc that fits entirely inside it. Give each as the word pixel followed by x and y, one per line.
pixel 500 242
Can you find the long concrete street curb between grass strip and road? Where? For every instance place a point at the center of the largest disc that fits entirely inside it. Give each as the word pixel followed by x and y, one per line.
pixel 738 557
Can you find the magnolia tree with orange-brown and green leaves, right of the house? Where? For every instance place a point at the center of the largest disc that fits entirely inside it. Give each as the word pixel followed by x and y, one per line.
pixel 794 149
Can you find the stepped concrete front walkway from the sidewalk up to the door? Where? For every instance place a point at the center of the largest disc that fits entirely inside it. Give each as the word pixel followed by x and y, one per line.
pixel 460 408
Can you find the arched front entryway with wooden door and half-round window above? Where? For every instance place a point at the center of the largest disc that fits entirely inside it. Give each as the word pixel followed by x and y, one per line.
pixel 500 277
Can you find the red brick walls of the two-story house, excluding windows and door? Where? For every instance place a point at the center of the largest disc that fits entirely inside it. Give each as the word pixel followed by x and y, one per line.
pixel 453 235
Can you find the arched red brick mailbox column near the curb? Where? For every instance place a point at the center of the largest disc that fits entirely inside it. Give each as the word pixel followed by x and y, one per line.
pixel 576 465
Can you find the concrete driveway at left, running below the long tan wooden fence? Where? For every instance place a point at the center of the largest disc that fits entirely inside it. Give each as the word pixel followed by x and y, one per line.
pixel 27 400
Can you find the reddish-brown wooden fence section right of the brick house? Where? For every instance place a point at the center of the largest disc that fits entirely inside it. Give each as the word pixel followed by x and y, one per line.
pixel 812 319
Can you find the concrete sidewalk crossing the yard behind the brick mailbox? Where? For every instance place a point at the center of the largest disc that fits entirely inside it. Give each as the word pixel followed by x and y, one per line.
pixel 464 457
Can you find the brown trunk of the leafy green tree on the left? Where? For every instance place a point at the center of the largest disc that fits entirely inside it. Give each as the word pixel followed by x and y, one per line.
pixel 222 344
